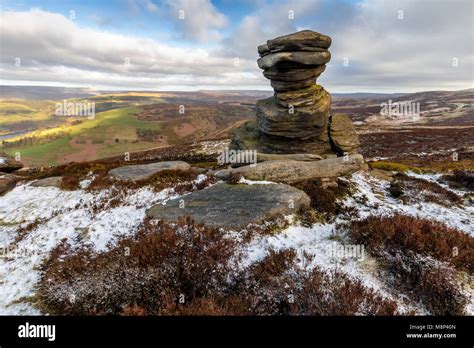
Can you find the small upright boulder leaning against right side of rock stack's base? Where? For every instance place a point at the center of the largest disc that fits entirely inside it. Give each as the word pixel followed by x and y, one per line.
pixel 343 134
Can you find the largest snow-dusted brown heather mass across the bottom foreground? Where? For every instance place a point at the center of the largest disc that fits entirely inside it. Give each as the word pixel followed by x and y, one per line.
pixel 198 264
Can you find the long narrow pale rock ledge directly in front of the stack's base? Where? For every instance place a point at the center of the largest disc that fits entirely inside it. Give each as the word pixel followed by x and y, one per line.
pixel 289 171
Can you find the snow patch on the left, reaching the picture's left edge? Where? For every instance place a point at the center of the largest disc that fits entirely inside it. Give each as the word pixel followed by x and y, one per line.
pixel 67 214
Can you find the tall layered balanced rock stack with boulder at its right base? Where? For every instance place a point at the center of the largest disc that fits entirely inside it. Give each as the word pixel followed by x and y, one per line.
pixel 297 119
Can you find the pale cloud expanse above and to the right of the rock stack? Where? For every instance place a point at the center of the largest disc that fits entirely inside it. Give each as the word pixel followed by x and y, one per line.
pixel 383 52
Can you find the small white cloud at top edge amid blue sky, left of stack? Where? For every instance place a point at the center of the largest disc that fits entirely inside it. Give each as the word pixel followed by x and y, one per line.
pixel 197 20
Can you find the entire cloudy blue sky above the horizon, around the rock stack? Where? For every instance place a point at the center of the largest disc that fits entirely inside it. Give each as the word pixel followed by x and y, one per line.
pixel 377 45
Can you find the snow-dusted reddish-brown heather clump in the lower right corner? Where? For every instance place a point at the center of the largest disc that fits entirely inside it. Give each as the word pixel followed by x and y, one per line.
pixel 421 256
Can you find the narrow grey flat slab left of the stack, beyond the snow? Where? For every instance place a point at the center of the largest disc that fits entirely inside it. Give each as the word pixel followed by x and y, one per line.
pixel 144 171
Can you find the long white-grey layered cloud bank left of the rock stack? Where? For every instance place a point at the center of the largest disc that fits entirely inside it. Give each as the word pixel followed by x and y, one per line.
pixel 79 55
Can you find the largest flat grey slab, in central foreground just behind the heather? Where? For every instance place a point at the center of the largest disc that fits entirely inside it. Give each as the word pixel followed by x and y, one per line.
pixel 233 206
